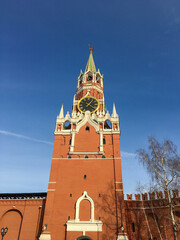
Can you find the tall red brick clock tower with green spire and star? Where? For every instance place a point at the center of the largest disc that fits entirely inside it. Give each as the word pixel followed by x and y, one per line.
pixel 85 191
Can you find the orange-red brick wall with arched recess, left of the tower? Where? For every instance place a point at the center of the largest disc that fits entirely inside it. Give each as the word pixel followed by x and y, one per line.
pixel 23 217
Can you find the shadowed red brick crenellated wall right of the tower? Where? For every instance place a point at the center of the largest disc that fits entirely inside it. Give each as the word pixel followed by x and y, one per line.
pixel 148 215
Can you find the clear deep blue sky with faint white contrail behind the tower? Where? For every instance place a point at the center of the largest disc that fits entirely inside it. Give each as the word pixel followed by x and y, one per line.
pixel 43 46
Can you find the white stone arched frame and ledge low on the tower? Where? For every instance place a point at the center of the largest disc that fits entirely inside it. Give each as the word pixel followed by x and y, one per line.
pixel 83 226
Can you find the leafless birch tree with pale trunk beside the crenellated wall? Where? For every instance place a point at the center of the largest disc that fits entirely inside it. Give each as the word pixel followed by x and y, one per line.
pixel 162 161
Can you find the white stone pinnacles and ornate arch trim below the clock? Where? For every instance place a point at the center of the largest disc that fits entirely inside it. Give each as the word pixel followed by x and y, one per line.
pixel 79 120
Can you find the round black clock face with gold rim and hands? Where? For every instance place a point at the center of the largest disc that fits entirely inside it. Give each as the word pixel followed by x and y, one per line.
pixel 88 104
